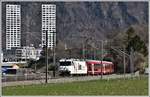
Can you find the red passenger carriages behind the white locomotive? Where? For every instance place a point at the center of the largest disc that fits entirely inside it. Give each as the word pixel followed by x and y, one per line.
pixel 95 67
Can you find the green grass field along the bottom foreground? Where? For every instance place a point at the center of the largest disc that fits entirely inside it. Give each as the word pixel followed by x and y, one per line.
pixel 134 86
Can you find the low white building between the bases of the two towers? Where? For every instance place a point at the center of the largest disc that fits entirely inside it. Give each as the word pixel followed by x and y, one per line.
pixel 28 53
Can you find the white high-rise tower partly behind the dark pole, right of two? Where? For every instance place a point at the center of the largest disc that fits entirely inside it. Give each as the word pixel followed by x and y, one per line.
pixel 49 24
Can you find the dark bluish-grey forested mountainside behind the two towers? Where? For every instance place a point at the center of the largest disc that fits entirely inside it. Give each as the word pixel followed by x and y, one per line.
pixel 76 19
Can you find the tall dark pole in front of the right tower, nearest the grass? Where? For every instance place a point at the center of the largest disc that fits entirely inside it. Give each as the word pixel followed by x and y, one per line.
pixel 46 57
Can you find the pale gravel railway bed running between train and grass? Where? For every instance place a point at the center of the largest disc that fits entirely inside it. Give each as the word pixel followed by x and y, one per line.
pixel 66 79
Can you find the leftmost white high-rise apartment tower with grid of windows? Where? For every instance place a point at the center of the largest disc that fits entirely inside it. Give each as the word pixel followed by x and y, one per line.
pixel 13 26
